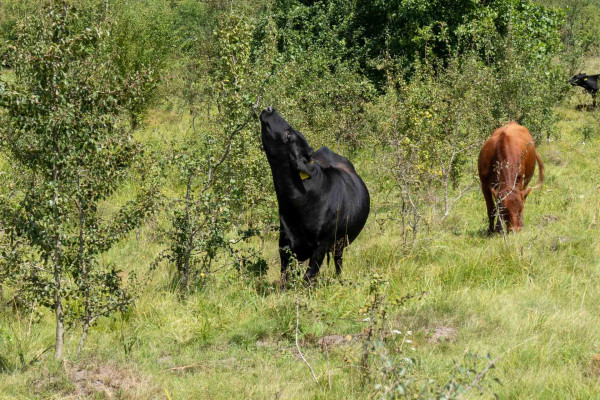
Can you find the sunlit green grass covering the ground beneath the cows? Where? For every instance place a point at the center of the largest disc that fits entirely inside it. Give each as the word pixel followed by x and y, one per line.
pixel 531 299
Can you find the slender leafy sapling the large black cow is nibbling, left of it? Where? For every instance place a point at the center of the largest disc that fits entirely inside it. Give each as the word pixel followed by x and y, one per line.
pixel 220 169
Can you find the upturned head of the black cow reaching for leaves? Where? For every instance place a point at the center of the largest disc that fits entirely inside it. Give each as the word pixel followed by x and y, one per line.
pixel 284 145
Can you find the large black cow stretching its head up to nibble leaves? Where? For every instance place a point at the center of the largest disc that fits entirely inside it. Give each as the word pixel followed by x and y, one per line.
pixel 323 203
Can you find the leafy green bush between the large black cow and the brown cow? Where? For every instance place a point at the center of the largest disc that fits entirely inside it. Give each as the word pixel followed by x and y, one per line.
pixel 430 127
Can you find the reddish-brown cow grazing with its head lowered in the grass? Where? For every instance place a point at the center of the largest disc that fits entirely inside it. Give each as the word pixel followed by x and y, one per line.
pixel 506 165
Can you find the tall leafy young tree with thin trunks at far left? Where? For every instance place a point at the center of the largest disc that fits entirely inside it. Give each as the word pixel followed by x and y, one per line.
pixel 63 126
